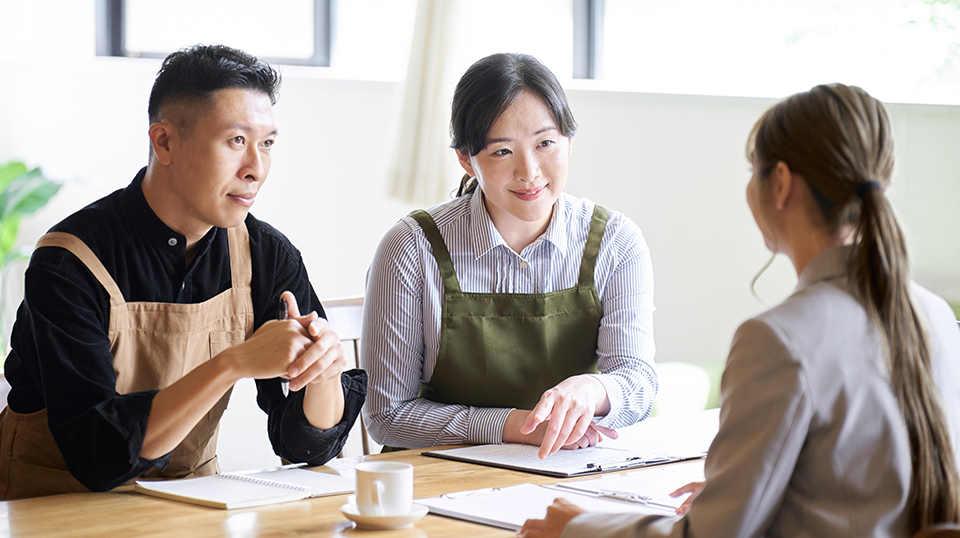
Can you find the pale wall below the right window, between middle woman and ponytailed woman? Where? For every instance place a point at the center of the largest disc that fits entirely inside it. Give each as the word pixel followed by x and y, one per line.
pixel 676 165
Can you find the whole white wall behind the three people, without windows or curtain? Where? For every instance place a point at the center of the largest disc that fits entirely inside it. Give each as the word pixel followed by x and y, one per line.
pixel 674 164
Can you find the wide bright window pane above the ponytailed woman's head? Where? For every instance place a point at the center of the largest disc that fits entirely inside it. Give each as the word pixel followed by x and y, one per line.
pixel 899 50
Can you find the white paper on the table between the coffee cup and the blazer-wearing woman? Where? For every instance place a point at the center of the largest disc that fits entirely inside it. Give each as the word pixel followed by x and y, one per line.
pixel 507 508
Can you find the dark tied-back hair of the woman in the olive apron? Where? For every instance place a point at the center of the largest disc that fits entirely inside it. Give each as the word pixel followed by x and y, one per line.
pixel 488 88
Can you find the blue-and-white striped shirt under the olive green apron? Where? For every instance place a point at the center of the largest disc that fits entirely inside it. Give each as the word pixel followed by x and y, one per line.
pixel 401 320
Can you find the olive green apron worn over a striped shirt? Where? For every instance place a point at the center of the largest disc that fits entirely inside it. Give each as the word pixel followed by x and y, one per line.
pixel 507 349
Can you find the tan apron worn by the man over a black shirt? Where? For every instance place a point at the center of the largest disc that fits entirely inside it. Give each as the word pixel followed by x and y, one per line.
pixel 153 345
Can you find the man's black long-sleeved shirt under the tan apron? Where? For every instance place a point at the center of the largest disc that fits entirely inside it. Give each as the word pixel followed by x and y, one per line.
pixel 61 360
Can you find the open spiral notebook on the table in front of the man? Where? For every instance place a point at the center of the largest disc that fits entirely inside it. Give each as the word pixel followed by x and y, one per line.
pixel 246 489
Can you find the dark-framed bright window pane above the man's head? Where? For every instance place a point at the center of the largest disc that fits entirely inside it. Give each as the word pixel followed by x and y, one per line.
pixel 277 29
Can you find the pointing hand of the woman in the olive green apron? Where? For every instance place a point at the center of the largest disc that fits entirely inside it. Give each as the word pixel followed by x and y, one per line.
pixel 567 410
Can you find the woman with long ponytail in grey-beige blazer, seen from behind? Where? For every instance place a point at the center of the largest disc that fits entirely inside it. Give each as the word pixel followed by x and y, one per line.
pixel 840 407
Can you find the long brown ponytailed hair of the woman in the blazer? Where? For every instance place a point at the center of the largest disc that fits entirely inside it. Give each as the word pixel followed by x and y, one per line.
pixel 838 139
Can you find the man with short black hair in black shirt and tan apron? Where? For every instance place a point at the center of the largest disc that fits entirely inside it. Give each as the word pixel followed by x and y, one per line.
pixel 143 309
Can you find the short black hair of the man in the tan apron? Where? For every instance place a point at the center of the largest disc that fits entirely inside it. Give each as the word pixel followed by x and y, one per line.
pixel 190 76
